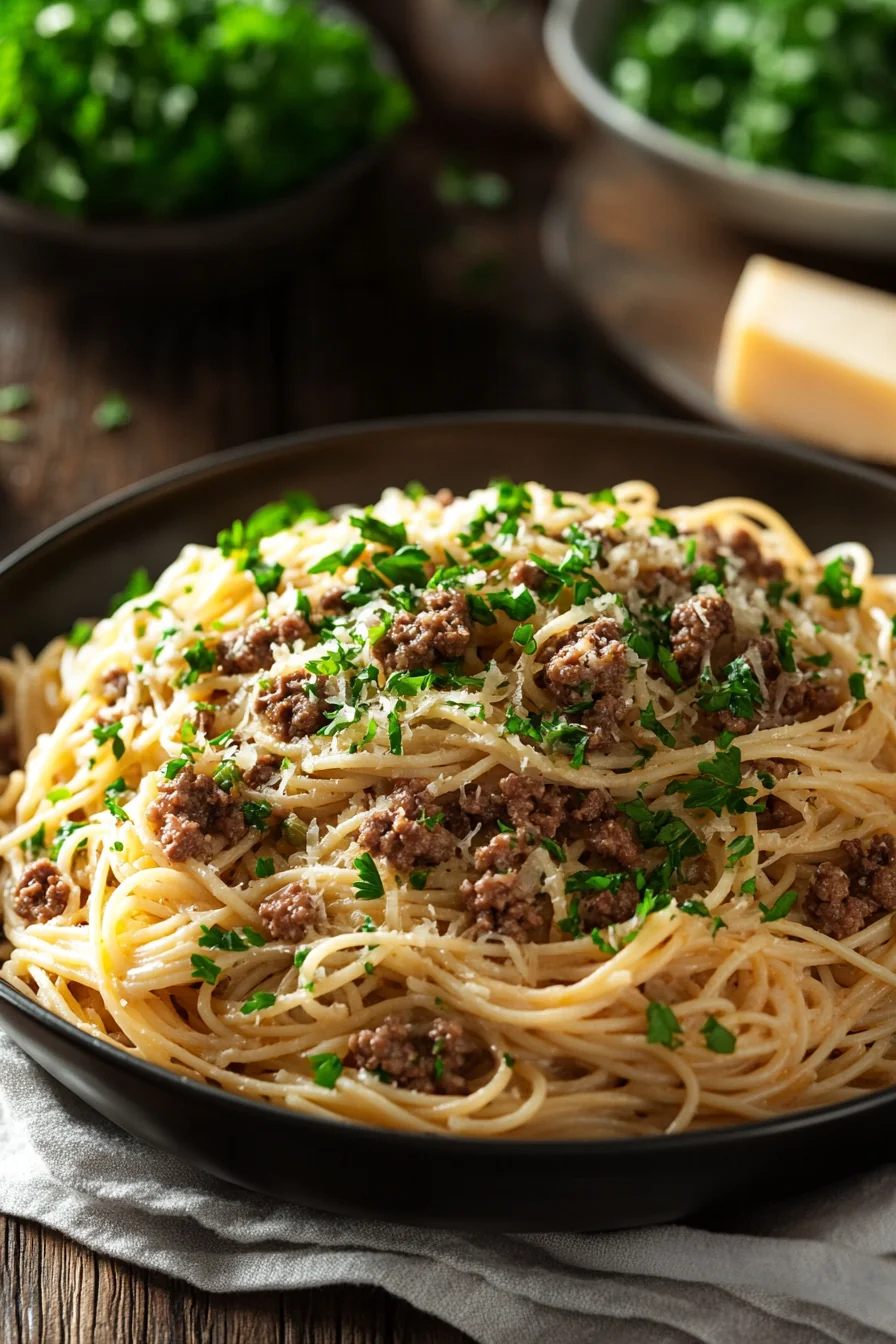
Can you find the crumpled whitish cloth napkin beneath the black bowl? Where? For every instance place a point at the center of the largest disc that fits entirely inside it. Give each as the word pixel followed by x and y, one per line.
pixel 820 1269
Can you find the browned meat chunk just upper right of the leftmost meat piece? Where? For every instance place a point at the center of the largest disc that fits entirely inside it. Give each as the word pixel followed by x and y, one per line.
pixel 190 811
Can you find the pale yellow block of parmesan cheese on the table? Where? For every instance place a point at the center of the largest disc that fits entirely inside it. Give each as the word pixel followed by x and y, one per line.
pixel 812 358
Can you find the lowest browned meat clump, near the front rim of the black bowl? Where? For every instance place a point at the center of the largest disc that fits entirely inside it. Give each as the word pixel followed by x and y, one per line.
pixel 427 1060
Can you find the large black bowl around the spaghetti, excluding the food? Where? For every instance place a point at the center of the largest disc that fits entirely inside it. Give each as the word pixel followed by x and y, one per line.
pixel 413 1178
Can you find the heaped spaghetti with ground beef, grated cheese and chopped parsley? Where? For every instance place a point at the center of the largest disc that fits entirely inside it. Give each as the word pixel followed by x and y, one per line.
pixel 530 815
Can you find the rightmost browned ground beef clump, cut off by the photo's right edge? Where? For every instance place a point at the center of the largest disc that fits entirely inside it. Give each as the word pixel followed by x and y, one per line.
pixel 843 900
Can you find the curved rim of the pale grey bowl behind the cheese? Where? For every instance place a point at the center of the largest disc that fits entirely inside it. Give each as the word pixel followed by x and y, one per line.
pixel 572 65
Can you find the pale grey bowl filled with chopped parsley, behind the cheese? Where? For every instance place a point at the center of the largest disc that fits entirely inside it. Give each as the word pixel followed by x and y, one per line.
pixel 781 116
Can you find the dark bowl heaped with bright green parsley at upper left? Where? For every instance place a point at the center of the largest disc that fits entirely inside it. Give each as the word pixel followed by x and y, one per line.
pixel 186 126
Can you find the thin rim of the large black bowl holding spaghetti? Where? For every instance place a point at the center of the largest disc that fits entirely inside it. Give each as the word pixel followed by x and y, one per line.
pixel 302 443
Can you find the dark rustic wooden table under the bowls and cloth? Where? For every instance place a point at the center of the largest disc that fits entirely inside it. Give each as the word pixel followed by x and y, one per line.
pixel 406 308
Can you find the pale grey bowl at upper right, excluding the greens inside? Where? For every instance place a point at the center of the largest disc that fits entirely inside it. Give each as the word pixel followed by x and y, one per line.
pixel 769 202
